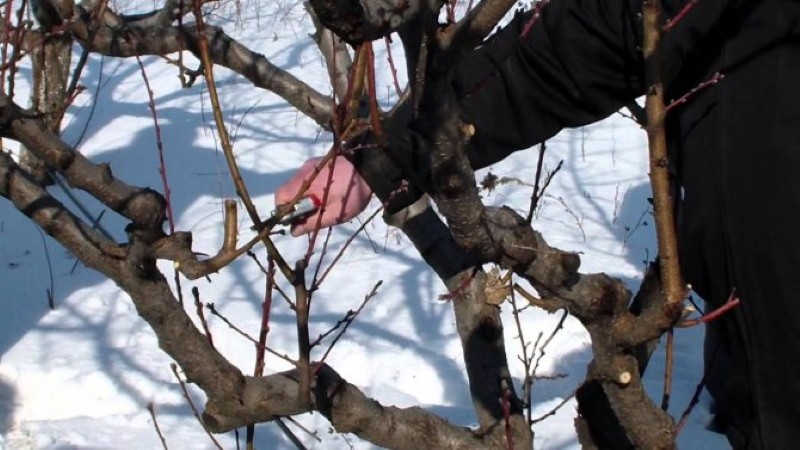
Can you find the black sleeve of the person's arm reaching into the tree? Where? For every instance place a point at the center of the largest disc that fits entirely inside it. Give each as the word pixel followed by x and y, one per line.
pixel 578 63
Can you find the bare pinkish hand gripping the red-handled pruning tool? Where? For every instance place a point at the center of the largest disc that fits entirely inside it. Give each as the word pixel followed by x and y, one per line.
pixel 347 196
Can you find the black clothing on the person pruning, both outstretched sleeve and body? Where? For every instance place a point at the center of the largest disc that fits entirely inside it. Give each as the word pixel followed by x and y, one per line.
pixel 735 148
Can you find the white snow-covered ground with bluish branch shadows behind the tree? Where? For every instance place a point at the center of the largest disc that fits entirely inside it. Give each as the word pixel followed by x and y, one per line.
pixel 80 376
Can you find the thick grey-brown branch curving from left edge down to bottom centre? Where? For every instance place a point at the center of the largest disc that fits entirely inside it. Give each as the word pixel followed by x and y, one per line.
pixel 233 399
